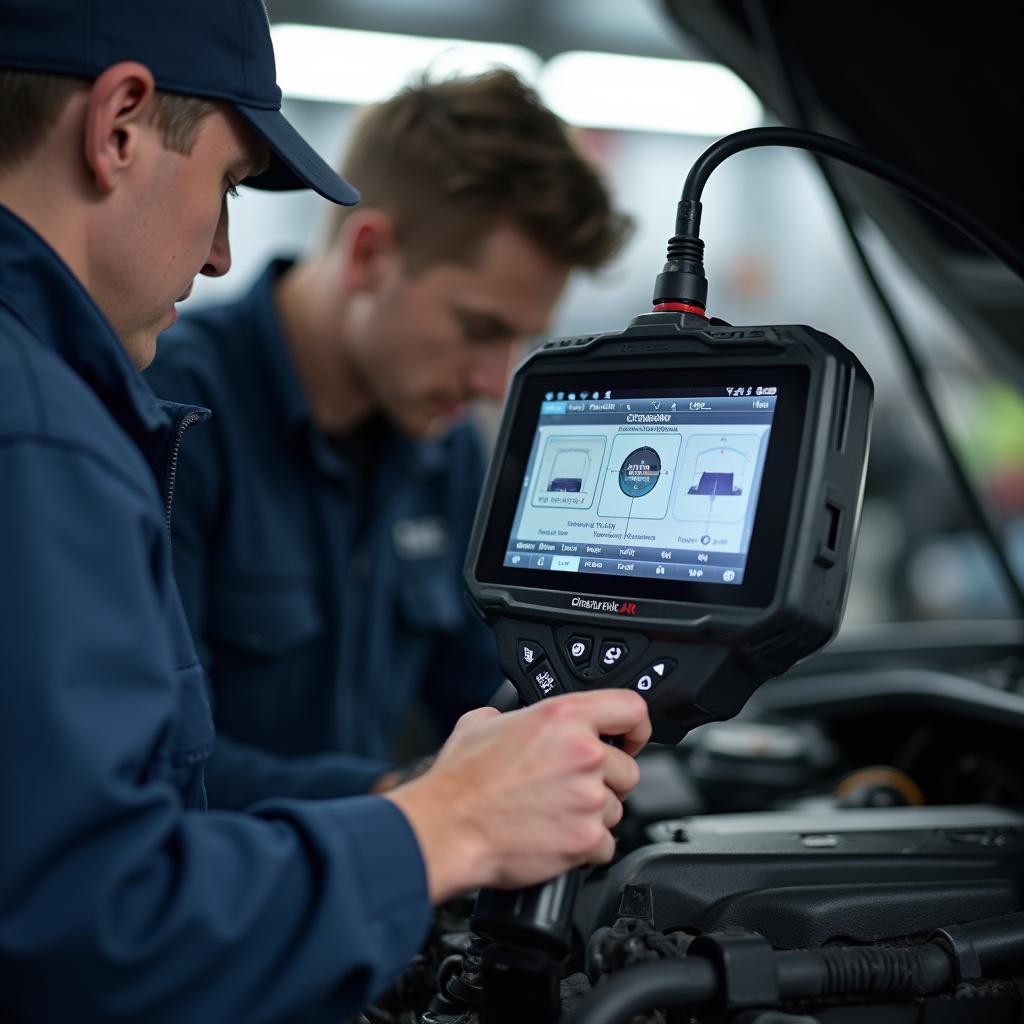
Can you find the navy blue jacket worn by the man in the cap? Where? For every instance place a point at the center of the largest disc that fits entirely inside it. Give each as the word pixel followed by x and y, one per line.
pixel 121 899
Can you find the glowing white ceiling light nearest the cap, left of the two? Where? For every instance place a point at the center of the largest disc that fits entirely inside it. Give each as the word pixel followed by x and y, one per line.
pixel 346 66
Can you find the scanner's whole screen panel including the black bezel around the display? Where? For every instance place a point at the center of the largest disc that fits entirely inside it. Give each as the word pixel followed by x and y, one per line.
pixel 671 485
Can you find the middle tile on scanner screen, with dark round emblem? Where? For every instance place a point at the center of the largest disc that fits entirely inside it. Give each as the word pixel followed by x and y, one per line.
pixel 638 478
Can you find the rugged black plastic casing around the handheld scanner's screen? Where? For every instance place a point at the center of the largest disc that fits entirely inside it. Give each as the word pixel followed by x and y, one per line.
pixel 724 649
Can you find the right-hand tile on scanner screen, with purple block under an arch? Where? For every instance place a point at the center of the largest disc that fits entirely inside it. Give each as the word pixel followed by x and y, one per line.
pixel 717 478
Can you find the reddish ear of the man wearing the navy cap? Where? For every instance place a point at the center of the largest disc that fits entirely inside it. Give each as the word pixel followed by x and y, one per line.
pixel 120 107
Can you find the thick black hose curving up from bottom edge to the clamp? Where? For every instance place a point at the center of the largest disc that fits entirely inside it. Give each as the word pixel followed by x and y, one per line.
pixel 665 984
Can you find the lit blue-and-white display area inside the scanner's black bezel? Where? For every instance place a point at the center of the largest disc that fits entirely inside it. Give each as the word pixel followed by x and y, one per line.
pixel 629 483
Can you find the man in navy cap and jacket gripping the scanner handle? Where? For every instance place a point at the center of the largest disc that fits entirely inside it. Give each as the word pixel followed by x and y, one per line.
pixel 122 127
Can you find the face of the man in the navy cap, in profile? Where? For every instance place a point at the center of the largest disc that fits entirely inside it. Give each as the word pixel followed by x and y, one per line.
pixel 170 224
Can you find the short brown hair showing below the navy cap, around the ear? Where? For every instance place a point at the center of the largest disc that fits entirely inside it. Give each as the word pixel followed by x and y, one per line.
pixel 31 103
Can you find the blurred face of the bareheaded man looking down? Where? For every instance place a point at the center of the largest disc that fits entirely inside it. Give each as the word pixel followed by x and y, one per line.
pixel 430 344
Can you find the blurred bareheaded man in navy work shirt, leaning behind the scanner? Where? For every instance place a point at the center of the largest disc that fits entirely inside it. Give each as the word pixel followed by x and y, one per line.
pixel 323 516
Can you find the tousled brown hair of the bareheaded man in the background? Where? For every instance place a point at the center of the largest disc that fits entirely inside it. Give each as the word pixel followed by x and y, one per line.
pixel 450 160
